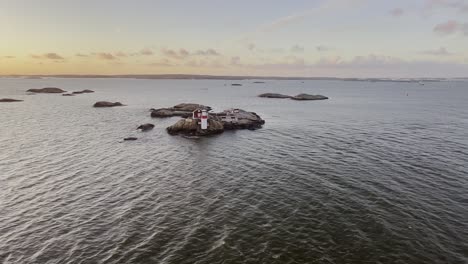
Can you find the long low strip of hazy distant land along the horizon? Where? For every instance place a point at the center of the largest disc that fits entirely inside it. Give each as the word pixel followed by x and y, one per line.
pixel 227 77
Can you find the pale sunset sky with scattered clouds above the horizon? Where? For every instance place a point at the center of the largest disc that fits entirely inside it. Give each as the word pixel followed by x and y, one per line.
pixel 314 38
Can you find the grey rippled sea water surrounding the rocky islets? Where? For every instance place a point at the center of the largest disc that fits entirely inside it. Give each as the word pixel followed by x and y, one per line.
pixel 376 174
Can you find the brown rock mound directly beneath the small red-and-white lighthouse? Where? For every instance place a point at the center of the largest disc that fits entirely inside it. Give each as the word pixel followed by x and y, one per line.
pixel 190 127
